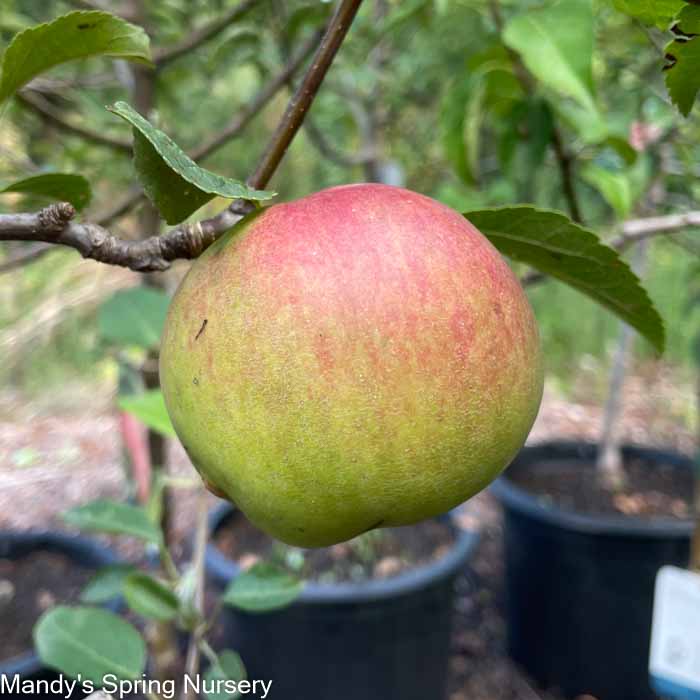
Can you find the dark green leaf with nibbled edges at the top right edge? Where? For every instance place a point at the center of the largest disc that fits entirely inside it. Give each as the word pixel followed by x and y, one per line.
pixel 683 55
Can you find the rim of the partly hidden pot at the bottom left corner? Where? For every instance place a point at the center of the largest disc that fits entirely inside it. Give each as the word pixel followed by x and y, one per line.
pixel 72 546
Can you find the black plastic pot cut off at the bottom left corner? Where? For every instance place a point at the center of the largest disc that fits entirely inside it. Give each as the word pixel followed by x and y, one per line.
pixel 85 552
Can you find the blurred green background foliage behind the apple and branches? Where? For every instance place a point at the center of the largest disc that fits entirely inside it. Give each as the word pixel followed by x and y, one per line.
pixel 427 87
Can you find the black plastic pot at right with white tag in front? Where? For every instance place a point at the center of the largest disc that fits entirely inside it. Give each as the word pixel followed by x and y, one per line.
pixel 579 588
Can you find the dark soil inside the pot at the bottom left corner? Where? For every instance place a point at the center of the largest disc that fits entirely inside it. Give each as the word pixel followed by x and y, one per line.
pixel 29 586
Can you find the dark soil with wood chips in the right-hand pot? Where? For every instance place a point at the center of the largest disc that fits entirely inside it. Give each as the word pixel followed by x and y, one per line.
pixel 652 490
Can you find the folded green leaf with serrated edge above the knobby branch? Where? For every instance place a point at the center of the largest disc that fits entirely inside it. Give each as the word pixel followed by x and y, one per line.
pixel 171 179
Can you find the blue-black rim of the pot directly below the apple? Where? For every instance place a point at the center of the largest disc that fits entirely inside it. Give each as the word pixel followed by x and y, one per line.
pixel 223 569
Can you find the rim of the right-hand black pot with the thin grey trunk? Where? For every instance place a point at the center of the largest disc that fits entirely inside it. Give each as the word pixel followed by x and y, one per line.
pixel 518 499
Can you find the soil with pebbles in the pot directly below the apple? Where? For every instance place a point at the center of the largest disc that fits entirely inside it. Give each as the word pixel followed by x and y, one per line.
pixel 380 553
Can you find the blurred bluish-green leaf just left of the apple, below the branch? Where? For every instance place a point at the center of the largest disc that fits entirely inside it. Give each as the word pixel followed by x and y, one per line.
pixel 134 316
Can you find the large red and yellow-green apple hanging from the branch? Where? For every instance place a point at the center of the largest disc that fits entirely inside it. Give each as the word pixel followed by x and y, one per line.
pixel 359 358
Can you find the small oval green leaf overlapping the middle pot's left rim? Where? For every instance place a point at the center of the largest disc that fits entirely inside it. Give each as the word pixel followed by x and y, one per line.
pixel 263 587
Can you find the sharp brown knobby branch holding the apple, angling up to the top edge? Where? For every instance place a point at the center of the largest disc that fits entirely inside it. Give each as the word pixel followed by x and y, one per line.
pixel 54 224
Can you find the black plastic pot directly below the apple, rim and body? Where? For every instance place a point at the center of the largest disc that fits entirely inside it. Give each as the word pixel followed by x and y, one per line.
pixel 376 640
